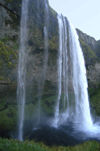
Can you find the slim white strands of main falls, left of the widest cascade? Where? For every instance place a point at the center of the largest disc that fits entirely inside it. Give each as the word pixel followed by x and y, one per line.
pixel 62 67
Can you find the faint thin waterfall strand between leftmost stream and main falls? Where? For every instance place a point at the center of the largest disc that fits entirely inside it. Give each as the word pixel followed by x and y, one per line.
pixel 45 57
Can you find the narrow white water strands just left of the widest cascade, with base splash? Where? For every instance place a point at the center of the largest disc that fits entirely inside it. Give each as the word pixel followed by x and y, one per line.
pixel 62 74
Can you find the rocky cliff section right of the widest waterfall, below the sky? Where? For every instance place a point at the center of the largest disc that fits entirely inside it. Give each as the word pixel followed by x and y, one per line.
pixel 91 52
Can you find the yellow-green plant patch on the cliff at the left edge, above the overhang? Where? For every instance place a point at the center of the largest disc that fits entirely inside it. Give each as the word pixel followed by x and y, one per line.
pixel 8 58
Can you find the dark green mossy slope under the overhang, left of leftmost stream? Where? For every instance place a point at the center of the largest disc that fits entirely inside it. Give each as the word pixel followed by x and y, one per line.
pixel 8 114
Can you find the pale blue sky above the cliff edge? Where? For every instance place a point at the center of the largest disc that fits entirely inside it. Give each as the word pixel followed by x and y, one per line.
pixel 83 14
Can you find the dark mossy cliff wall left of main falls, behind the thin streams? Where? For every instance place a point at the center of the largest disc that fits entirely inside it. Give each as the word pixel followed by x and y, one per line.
pixel 9 42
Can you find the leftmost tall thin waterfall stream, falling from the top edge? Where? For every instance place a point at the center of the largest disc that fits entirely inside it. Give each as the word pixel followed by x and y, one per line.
pixel 21 88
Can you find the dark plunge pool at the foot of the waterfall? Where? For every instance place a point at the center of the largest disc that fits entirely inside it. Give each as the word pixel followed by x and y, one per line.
pixel 62 136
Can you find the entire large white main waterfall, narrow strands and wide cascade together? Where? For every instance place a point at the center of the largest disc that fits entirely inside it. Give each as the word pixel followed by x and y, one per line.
pixel 72 73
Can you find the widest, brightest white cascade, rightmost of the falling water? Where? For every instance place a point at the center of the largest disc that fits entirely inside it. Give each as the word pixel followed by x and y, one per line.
pixel 79 80
